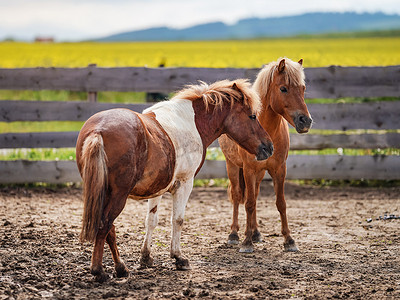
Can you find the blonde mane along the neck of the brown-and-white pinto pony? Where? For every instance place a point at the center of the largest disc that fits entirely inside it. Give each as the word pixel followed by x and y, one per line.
pixel 217 93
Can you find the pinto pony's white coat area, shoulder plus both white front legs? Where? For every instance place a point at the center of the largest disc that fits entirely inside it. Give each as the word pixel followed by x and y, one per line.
pixel 177 118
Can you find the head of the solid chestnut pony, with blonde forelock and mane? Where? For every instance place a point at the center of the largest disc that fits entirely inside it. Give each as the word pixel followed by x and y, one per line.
pixel 281 86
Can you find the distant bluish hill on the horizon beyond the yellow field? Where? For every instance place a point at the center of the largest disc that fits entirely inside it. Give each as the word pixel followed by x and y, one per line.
pixel 310 23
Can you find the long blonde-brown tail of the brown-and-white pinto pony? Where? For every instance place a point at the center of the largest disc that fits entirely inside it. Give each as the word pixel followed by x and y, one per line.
pixel 94 175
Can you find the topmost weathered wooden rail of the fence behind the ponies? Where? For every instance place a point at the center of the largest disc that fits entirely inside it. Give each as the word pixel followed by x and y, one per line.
pixel 330 82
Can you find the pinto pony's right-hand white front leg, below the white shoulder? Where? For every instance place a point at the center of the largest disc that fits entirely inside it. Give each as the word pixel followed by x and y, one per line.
pixel 180 198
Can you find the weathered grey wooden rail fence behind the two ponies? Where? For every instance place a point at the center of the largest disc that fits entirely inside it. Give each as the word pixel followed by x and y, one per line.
pixel 331 82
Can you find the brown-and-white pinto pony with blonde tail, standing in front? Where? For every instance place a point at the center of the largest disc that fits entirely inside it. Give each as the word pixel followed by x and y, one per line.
pixel 122 153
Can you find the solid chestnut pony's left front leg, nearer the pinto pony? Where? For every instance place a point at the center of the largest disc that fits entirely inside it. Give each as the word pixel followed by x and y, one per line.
pixel 252 181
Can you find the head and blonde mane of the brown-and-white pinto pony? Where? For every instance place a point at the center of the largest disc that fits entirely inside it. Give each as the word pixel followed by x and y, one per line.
pixel 235 105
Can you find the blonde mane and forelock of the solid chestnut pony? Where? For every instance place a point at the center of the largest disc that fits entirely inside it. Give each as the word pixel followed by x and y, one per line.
pixel 294 74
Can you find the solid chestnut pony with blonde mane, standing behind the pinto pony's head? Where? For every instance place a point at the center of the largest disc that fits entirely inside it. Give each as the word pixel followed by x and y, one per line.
pixel 281 87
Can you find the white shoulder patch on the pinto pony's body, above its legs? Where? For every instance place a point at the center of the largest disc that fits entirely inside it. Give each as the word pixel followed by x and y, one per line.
pixel 177 118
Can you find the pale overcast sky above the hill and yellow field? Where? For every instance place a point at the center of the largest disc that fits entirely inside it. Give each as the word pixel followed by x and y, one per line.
pixel 83 19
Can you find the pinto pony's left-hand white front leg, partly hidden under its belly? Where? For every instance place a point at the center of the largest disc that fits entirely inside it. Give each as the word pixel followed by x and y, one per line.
pixel 151 222
